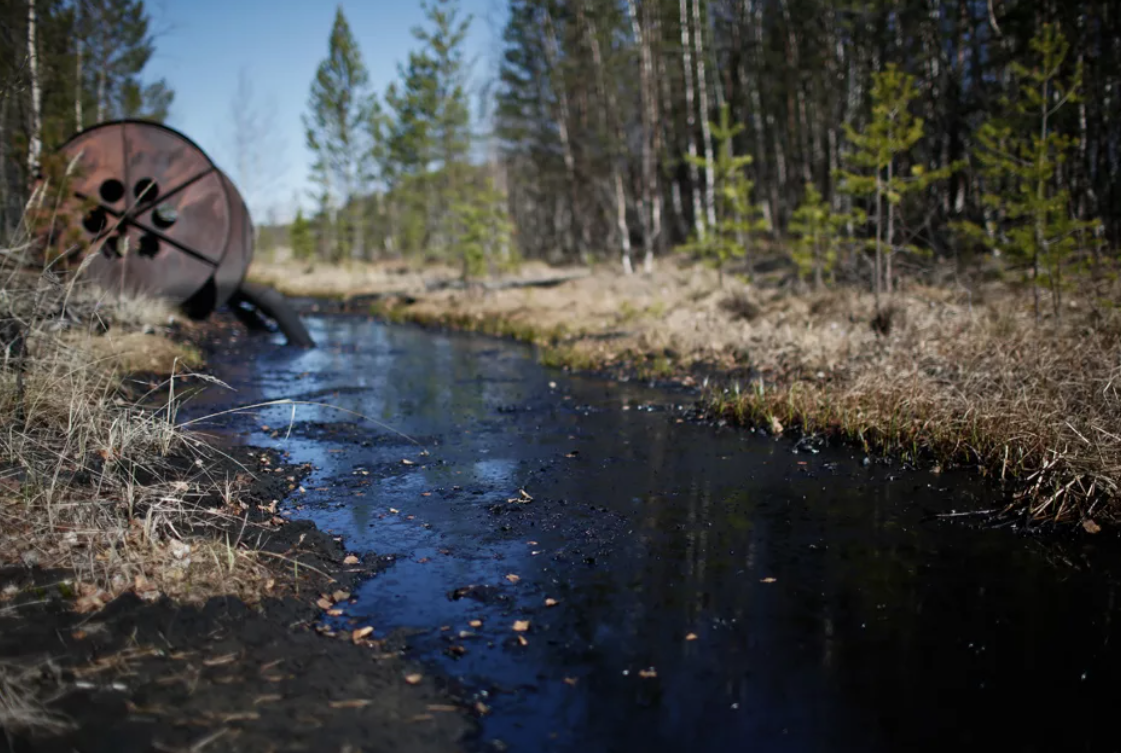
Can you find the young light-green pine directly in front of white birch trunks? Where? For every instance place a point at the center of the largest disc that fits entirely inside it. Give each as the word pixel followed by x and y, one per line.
pixel 737 218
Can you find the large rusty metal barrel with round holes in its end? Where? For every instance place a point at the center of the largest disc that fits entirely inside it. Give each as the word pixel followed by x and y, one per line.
pixel 156 216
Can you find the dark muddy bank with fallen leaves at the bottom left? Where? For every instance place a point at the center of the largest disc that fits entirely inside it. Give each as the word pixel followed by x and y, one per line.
pixel 146 674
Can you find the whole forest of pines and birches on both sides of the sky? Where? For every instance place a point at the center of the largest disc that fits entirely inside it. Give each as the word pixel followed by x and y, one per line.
pixel 860 141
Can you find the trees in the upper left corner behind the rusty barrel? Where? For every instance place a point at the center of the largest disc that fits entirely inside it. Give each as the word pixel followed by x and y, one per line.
pixel 67 66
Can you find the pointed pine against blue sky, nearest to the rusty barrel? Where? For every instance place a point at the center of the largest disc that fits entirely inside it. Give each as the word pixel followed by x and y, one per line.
pixel 337 132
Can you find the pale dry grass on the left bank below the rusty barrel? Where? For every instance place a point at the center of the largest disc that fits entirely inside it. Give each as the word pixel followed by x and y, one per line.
pixel 92 482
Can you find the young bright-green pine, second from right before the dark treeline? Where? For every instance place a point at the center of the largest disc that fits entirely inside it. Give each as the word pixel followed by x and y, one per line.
pixel 888 137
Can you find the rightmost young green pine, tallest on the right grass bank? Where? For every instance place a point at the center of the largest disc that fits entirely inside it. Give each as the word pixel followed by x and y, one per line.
pixel 1021 155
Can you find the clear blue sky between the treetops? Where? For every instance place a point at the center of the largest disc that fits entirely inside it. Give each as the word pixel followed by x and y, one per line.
pixel 202 45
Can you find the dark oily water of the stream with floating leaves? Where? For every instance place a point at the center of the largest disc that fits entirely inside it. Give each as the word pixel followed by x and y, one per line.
pixel 714 590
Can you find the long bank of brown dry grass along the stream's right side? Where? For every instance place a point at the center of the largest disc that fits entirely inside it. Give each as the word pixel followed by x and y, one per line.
pixel 963 378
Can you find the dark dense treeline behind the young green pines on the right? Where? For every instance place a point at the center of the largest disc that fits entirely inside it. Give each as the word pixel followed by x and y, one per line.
pixel 603 103
